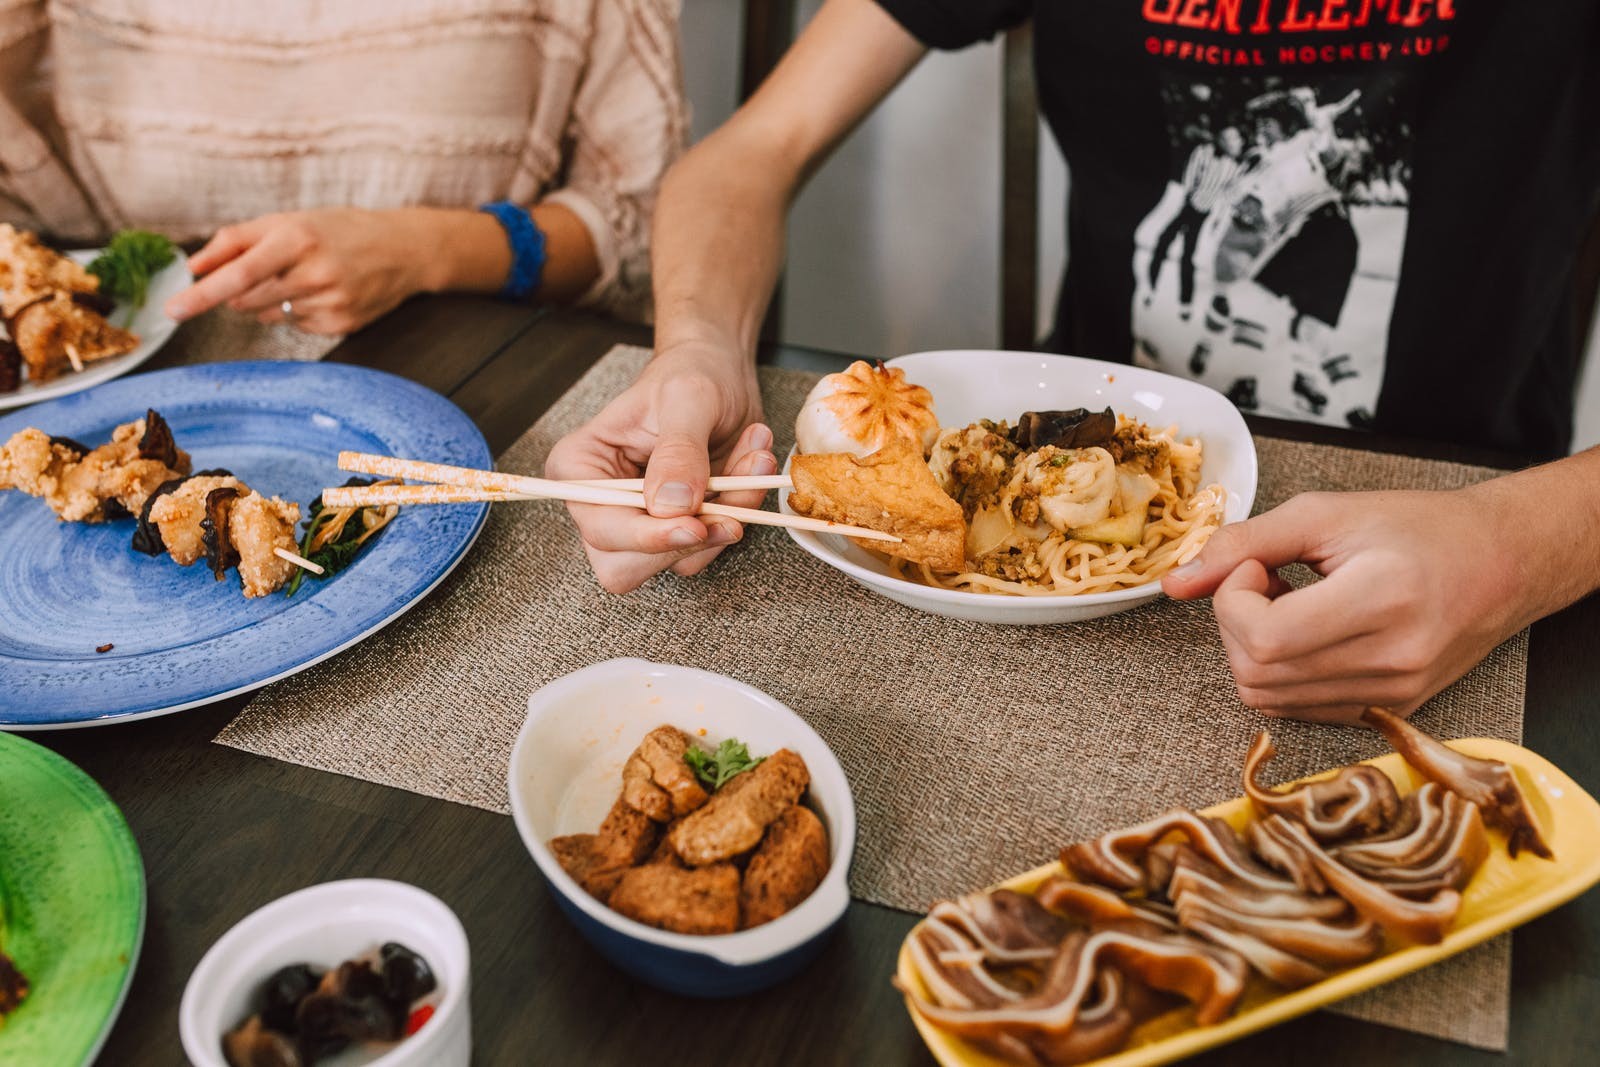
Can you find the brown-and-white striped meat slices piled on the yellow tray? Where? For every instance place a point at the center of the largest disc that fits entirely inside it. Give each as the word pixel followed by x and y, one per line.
pixel 1327 876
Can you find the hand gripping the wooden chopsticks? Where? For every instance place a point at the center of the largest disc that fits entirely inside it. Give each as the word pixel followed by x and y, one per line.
pixel 692 410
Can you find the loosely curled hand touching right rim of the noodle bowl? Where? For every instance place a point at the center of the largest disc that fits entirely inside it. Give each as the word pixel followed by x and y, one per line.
pixel 1417 589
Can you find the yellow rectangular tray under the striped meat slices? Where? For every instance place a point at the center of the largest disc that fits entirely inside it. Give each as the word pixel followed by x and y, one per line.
pixel 1503 895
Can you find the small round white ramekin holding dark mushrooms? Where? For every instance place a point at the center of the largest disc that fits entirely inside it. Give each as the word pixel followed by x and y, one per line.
pixel 326 925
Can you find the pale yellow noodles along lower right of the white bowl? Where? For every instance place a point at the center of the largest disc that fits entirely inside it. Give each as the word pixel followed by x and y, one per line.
pixel 1182 519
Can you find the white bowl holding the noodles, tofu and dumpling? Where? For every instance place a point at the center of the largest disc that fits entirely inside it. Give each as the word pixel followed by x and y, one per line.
pixel 975 385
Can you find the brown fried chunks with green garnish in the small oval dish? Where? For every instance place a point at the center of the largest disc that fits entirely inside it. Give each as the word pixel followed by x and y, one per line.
pixel 703 842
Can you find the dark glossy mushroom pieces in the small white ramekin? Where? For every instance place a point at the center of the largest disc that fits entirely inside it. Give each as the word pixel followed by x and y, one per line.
pixel 305 1015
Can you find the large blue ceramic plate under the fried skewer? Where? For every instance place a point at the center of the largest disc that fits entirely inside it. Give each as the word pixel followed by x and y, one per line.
pixel 178 637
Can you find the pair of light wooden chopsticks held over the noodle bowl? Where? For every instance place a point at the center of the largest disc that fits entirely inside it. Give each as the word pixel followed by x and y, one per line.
pixel 465 486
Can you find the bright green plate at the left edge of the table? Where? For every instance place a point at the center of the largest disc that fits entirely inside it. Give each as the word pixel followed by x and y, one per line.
pixel 71 906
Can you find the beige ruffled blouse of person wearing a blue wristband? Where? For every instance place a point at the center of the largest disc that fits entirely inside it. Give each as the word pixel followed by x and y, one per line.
pixel 182 116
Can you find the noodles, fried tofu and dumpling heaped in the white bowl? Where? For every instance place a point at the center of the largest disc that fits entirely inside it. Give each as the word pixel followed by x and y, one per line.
pixel 1060 503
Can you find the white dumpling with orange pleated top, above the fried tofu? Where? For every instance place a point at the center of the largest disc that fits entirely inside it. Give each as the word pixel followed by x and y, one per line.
pixel 863 409
